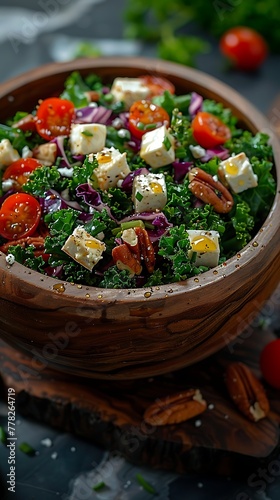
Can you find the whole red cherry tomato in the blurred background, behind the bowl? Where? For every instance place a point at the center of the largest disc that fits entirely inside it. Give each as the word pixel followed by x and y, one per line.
pixel 245 47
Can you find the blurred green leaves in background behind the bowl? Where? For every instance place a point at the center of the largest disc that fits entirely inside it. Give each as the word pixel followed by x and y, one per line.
pixel 166 23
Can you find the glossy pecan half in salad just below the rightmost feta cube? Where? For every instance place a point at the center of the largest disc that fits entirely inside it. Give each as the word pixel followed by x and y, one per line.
pixel 207 189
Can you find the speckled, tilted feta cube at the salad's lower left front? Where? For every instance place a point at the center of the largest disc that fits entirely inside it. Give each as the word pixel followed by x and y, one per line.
pixel 83 248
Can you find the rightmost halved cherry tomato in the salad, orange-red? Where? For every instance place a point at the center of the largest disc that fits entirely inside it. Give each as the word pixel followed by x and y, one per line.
pixel 208 130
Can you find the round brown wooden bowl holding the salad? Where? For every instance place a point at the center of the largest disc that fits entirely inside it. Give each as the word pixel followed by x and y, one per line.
pixel 124 334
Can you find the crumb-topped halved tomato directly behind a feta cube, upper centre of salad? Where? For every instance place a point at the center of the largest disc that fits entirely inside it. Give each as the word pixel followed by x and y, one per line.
pixel 145 116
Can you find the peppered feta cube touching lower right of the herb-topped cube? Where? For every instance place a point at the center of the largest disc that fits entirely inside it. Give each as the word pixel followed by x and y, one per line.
pixel 112 167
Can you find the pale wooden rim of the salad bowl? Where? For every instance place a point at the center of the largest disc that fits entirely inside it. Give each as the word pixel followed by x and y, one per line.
pixel 255 121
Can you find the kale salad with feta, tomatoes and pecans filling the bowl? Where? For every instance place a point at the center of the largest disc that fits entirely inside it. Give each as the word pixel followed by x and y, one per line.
pixel 129 184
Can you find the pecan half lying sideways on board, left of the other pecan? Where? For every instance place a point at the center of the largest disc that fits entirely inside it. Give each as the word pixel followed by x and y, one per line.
pixel 176 408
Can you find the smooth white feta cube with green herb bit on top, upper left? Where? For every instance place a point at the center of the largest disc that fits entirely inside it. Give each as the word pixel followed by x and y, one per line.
pixel 87 138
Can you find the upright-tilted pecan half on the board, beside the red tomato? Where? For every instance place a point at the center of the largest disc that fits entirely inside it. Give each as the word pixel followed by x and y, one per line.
pixel 246 391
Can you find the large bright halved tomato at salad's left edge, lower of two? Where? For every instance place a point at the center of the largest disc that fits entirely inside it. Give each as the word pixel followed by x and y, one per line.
pixel 19 216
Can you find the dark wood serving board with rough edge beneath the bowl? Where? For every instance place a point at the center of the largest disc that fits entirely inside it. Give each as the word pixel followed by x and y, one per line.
pixel 110 414
